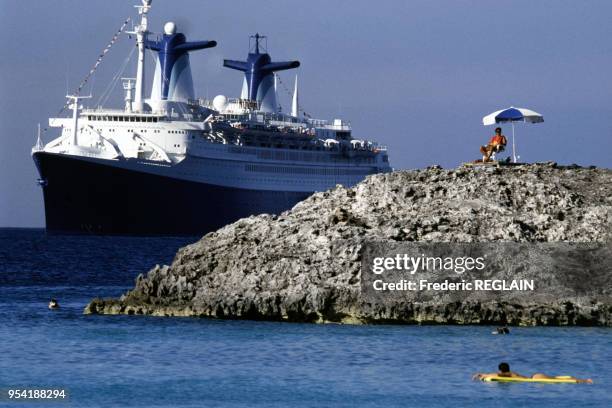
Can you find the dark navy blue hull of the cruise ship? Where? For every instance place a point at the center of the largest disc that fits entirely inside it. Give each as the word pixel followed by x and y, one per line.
pixel 86 197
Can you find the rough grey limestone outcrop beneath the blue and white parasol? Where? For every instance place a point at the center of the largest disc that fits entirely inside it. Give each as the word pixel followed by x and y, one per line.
pixel 304 264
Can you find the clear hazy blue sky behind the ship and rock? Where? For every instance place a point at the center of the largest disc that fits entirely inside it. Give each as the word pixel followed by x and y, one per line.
pixel 416 76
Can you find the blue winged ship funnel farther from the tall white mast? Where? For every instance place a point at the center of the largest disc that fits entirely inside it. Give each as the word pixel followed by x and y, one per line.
pixel 259 76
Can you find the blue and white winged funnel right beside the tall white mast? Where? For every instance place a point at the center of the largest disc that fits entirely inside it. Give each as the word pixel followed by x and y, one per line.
pixel 172 80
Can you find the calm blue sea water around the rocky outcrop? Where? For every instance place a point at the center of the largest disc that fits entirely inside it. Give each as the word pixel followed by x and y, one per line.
pixel 135 361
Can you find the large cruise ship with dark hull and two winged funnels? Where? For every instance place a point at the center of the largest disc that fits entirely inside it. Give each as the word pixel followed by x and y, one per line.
pixel 174 164
